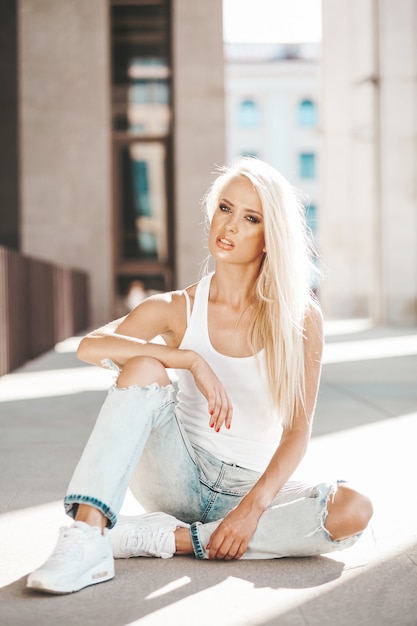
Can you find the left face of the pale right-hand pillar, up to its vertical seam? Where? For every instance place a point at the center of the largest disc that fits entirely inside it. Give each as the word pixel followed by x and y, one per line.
pixel 347 220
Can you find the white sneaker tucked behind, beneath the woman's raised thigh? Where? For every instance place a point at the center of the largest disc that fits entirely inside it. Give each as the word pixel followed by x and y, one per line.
pixel 151 534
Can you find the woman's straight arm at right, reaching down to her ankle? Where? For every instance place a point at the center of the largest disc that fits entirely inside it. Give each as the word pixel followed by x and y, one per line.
pixel 230 540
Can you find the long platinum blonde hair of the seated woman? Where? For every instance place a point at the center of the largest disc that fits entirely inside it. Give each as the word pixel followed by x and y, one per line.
pixel 282 291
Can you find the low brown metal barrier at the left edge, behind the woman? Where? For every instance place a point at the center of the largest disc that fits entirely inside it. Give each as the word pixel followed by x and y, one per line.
pixel 40 304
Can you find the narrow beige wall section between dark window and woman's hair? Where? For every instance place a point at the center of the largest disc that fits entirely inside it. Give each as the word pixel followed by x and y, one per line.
pixel 198 124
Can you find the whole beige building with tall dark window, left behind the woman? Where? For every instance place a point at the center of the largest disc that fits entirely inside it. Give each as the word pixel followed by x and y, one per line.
pixel 120 120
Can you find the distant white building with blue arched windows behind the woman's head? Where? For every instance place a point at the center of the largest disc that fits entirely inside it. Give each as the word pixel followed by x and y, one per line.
pixel 272 93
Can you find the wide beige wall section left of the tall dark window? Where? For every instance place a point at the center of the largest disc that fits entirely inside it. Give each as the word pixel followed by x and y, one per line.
pixel 65 139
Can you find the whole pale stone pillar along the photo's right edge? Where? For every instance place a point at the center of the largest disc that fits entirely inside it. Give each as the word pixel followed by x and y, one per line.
pixel 368 220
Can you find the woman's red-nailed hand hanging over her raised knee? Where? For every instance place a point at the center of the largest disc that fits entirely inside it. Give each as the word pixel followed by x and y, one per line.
pixel 219 406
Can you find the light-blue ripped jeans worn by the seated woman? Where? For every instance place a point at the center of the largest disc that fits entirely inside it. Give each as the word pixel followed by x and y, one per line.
pixel 138 441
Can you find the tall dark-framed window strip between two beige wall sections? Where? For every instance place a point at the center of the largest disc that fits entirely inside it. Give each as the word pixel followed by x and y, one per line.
pixel 142 146
